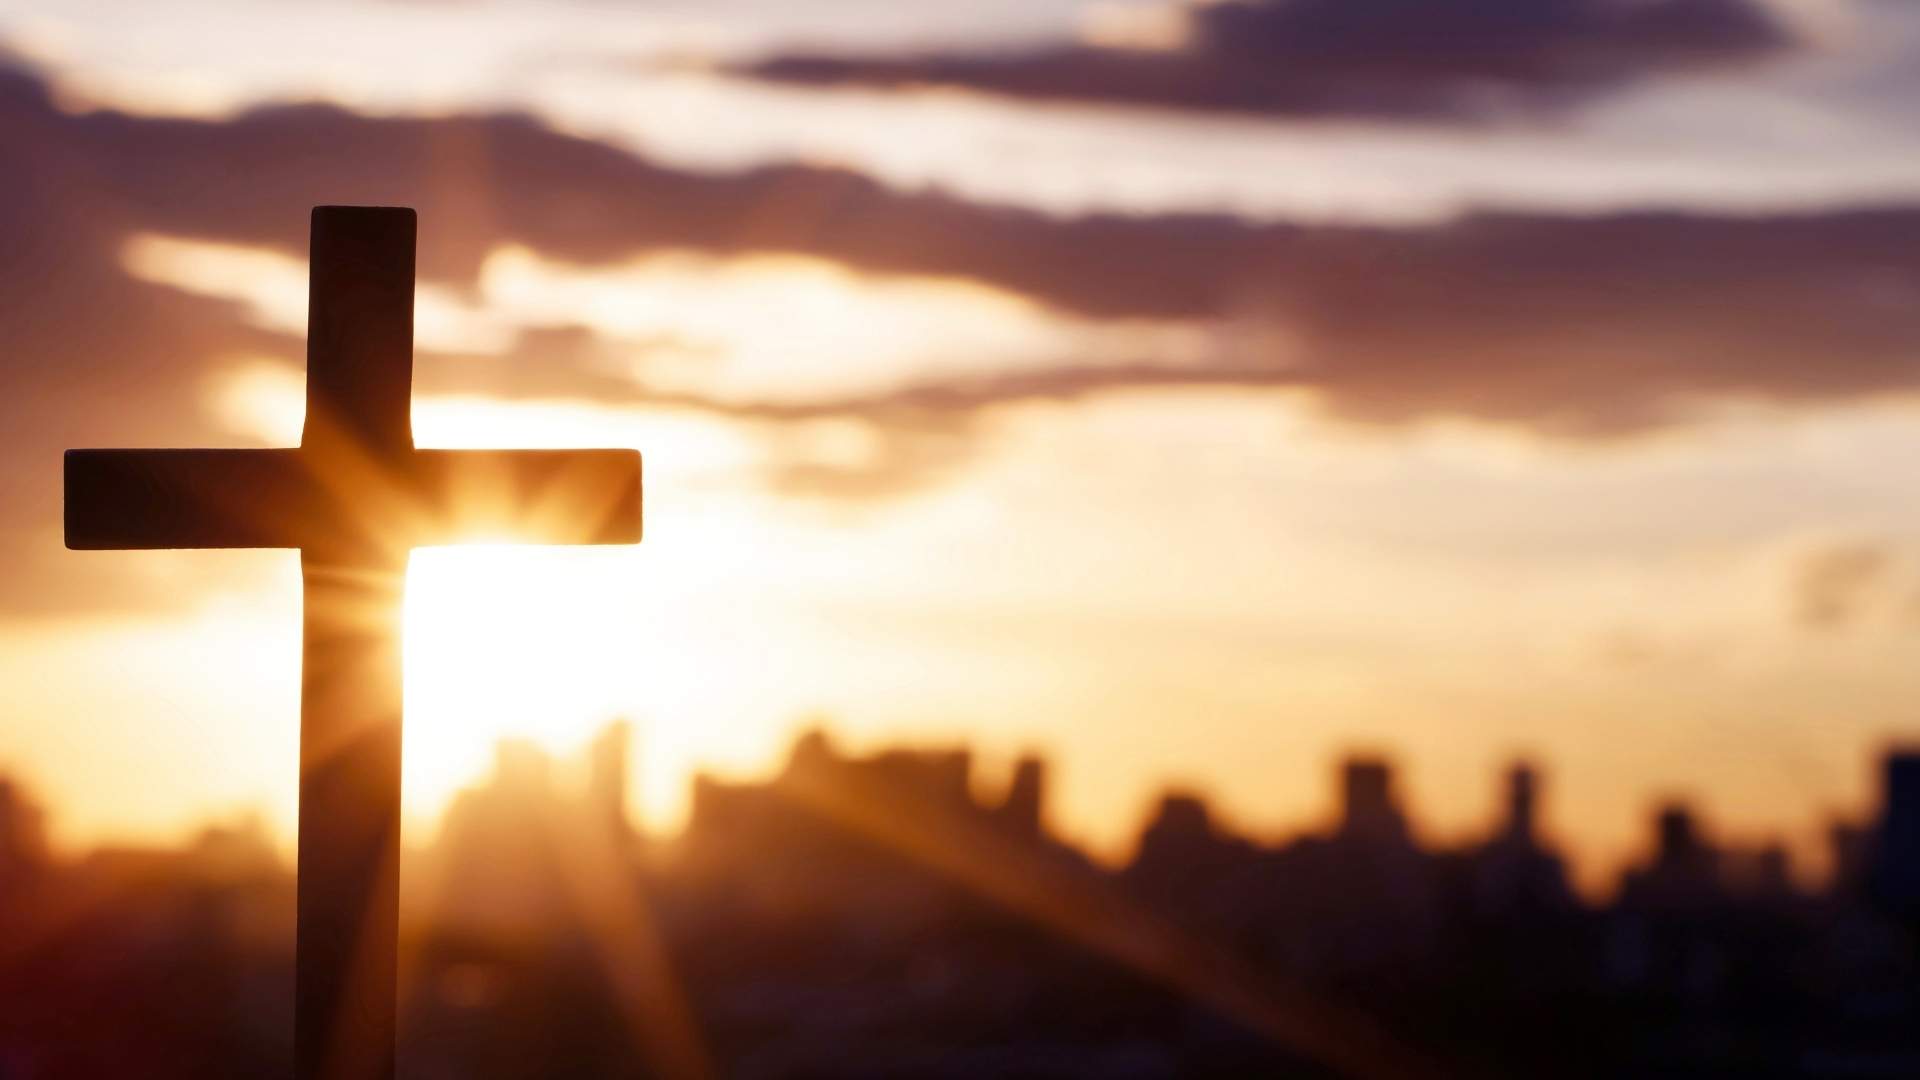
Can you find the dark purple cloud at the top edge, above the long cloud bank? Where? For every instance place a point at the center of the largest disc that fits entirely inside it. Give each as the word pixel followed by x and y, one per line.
pixel 1355 59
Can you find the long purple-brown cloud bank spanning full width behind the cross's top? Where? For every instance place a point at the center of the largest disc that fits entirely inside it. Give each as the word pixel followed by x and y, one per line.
pixel 1573 326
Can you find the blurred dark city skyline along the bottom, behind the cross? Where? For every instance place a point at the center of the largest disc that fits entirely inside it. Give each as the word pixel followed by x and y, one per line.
pixel 942 929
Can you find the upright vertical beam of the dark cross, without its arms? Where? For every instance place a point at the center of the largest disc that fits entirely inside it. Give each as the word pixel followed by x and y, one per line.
pixel 360 391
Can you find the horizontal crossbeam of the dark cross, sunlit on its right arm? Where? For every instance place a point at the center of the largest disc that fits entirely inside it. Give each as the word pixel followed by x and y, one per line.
pixel 318 501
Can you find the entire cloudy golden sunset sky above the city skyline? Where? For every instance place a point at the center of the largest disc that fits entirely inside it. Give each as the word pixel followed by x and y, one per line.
pixel 1186 391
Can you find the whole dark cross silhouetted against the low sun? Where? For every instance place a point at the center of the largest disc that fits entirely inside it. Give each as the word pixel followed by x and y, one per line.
pixel 354 499
